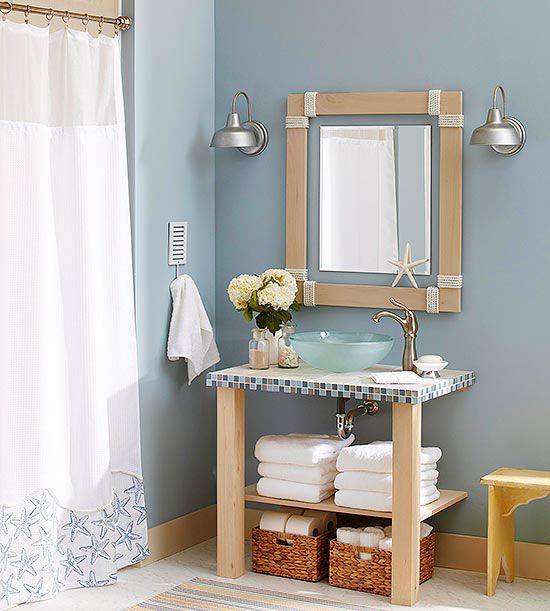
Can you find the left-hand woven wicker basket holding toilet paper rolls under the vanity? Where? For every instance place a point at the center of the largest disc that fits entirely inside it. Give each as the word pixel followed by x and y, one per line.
pixel 287 555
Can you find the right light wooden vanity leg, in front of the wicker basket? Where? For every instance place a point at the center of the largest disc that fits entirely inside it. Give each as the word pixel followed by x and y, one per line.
pixel 406 426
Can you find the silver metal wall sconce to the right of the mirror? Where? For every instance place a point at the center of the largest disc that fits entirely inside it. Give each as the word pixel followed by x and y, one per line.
pixel 504 134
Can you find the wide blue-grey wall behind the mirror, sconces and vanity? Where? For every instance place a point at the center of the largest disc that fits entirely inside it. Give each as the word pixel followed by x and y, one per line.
pixel 270 49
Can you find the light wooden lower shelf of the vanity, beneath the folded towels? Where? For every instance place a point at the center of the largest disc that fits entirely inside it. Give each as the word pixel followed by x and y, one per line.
pixel 447 499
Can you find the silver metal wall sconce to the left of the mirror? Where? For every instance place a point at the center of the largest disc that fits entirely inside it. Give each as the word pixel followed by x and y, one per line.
pixel 250 137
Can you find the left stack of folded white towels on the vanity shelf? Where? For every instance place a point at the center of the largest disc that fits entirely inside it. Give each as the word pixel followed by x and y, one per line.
pixel 298 467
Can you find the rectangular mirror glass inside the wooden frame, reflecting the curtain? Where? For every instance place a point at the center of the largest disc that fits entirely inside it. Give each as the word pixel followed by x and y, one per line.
pixel 374 196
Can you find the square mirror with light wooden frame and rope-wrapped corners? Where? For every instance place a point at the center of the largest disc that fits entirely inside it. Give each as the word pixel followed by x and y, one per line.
pixel 363 214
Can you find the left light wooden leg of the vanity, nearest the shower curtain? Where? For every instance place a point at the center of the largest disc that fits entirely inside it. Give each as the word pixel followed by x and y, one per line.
pixel 231 508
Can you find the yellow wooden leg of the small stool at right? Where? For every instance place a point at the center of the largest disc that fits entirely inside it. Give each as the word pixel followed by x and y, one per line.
pixel 500 540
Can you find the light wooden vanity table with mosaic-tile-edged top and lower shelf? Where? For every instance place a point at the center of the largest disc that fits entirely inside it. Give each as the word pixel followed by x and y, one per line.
pixel 406 403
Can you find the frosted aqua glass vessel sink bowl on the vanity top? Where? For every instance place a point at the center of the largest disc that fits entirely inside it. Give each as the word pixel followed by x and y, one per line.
pixel 341 352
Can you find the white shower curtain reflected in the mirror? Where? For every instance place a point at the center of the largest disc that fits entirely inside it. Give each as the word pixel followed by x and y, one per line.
pixel 358 206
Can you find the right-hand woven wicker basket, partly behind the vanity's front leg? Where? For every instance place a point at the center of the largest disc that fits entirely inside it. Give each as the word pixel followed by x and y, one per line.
pixel 348 571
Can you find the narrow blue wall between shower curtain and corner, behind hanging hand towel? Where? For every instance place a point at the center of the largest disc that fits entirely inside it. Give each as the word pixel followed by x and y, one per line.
pixel 171 93
